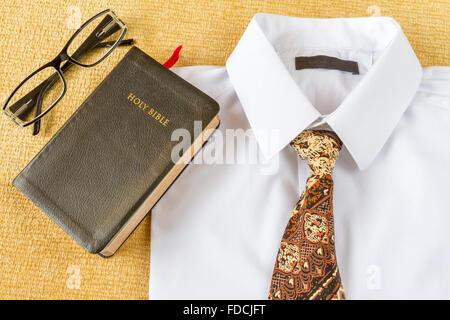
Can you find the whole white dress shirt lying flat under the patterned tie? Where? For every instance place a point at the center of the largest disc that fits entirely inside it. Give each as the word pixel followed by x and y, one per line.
pixel 216 232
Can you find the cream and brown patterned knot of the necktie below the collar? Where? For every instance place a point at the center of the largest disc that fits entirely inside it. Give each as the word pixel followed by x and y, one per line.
pixel 320 148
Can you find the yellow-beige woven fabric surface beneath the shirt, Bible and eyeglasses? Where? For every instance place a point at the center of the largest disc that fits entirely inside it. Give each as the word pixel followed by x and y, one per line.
pixel 37 259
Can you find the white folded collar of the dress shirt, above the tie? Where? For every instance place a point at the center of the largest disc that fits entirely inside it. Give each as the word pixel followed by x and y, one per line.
pixel 273 102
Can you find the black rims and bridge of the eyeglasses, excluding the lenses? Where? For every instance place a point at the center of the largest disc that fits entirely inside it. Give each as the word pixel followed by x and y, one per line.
pixel 56 64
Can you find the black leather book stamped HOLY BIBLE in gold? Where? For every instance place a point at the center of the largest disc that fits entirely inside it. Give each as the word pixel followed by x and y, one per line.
pixel 107 166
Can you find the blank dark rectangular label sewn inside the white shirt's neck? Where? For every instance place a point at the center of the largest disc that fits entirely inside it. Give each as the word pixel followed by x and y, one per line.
pixel 326 62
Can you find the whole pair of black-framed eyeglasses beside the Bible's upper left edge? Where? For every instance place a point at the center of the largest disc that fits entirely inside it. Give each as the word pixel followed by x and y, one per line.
pixel 35 96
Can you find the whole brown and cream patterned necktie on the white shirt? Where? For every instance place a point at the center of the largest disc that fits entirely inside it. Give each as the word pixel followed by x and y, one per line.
pixel 306 266
